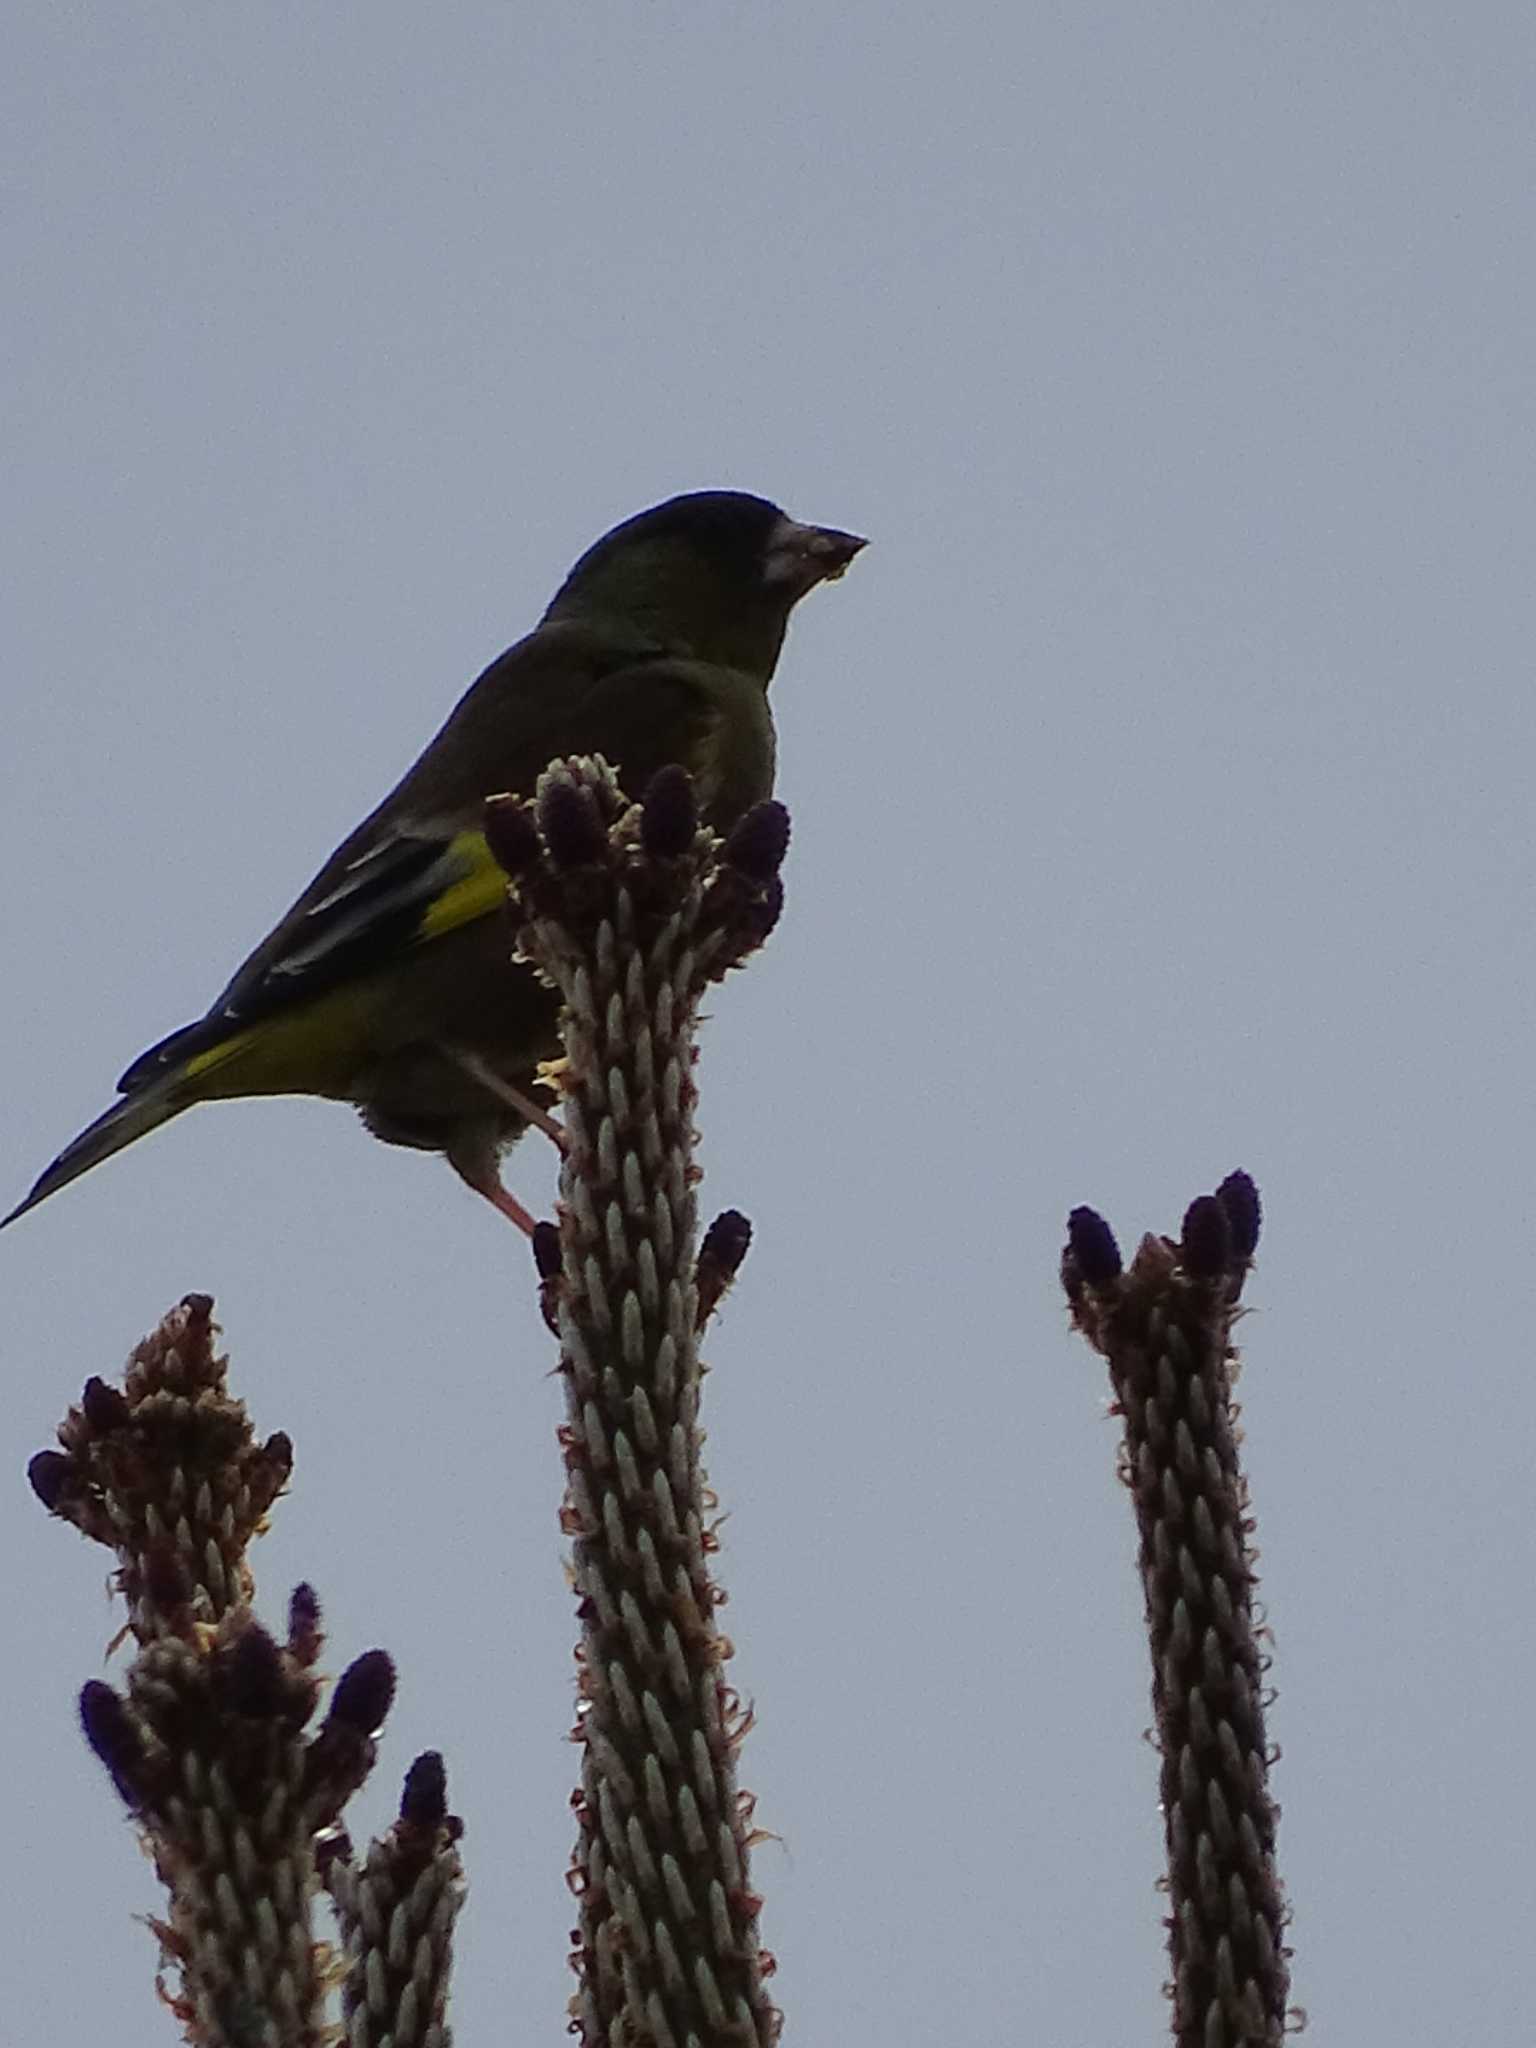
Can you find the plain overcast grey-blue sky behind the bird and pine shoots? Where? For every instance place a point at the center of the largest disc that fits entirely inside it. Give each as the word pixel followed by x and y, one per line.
pixel 1162 804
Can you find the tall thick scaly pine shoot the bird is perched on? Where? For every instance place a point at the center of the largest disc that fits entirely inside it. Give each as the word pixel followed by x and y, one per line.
pixel 632 912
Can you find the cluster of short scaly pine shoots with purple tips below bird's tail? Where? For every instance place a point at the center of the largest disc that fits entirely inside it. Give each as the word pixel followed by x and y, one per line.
pixel 208 1740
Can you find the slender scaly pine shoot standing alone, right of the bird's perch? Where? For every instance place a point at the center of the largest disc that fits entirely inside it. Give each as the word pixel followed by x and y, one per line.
pixel 1164 1326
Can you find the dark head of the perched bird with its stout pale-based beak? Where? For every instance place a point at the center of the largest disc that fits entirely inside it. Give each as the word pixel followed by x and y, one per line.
pixel 712 574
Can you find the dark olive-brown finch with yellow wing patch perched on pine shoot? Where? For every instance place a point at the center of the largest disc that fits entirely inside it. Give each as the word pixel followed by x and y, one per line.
pixel 390 984
